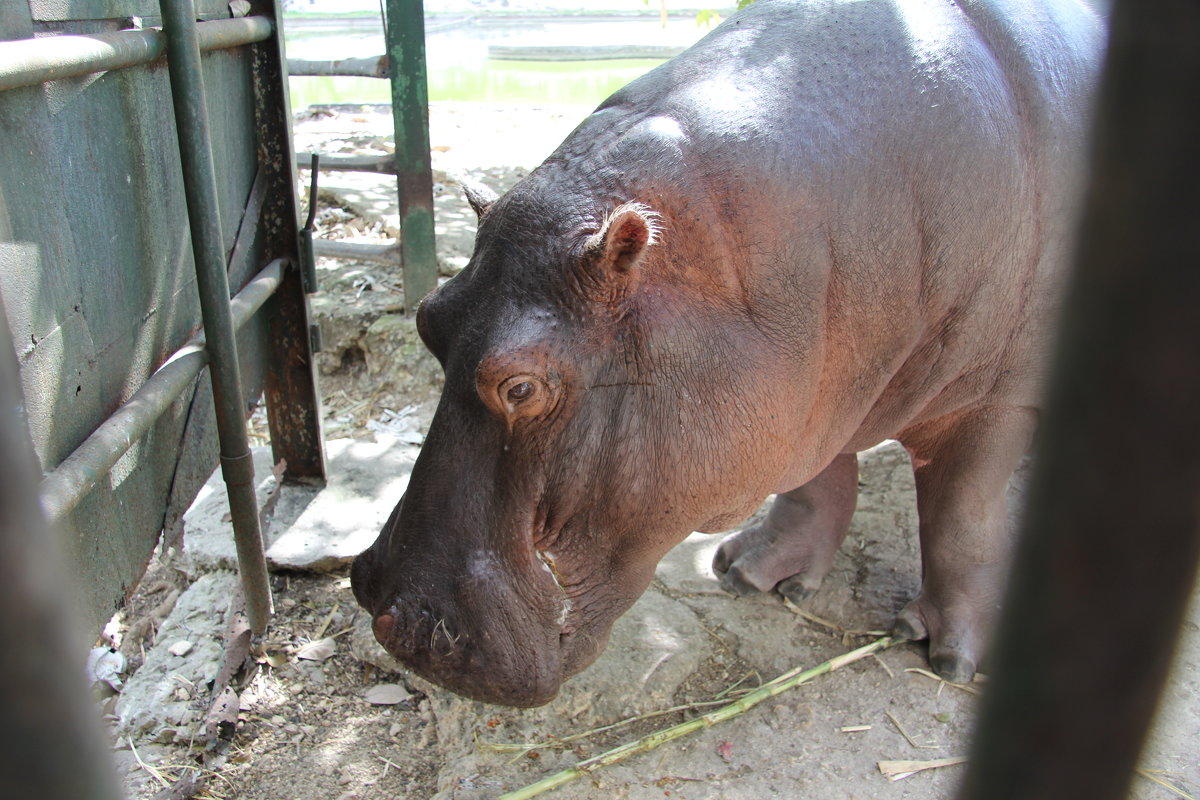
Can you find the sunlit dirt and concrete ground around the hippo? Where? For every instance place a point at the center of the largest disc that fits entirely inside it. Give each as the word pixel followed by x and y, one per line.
pixel 309 730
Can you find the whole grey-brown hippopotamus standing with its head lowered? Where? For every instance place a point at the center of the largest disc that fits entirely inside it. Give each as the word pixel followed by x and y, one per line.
pixel 826 225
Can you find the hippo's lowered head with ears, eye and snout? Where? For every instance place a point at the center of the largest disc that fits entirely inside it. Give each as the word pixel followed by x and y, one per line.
pixel 598 407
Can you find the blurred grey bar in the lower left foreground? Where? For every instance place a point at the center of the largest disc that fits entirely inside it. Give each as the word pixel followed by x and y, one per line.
pixel 52 745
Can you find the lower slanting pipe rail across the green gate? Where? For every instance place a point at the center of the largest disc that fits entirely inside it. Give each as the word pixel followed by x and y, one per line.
pixel 71 482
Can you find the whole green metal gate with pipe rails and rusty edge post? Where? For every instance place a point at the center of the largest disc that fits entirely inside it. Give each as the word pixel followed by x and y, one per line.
pixel 146 176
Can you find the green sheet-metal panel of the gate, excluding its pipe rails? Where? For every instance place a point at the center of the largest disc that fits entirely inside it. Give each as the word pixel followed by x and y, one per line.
pixel 98 276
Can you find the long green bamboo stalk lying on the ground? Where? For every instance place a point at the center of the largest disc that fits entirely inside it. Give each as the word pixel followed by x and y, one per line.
pixel 790 679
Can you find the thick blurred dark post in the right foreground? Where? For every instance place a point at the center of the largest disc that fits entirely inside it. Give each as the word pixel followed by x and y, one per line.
pixel 1108 555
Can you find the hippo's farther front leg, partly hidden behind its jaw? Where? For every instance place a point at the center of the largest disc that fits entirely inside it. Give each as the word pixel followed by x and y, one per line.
pixel 793 550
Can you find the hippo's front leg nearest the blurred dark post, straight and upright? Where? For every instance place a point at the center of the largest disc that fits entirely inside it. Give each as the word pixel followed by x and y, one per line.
pixel 962 466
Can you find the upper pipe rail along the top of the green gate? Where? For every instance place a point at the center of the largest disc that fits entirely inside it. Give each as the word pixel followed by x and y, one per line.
pixel 33 62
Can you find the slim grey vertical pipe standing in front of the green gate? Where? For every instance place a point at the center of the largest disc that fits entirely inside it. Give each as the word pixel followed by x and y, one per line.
pixel 213 281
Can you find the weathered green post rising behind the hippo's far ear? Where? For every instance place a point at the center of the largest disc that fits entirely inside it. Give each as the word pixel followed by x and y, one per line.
pixel 415 177
